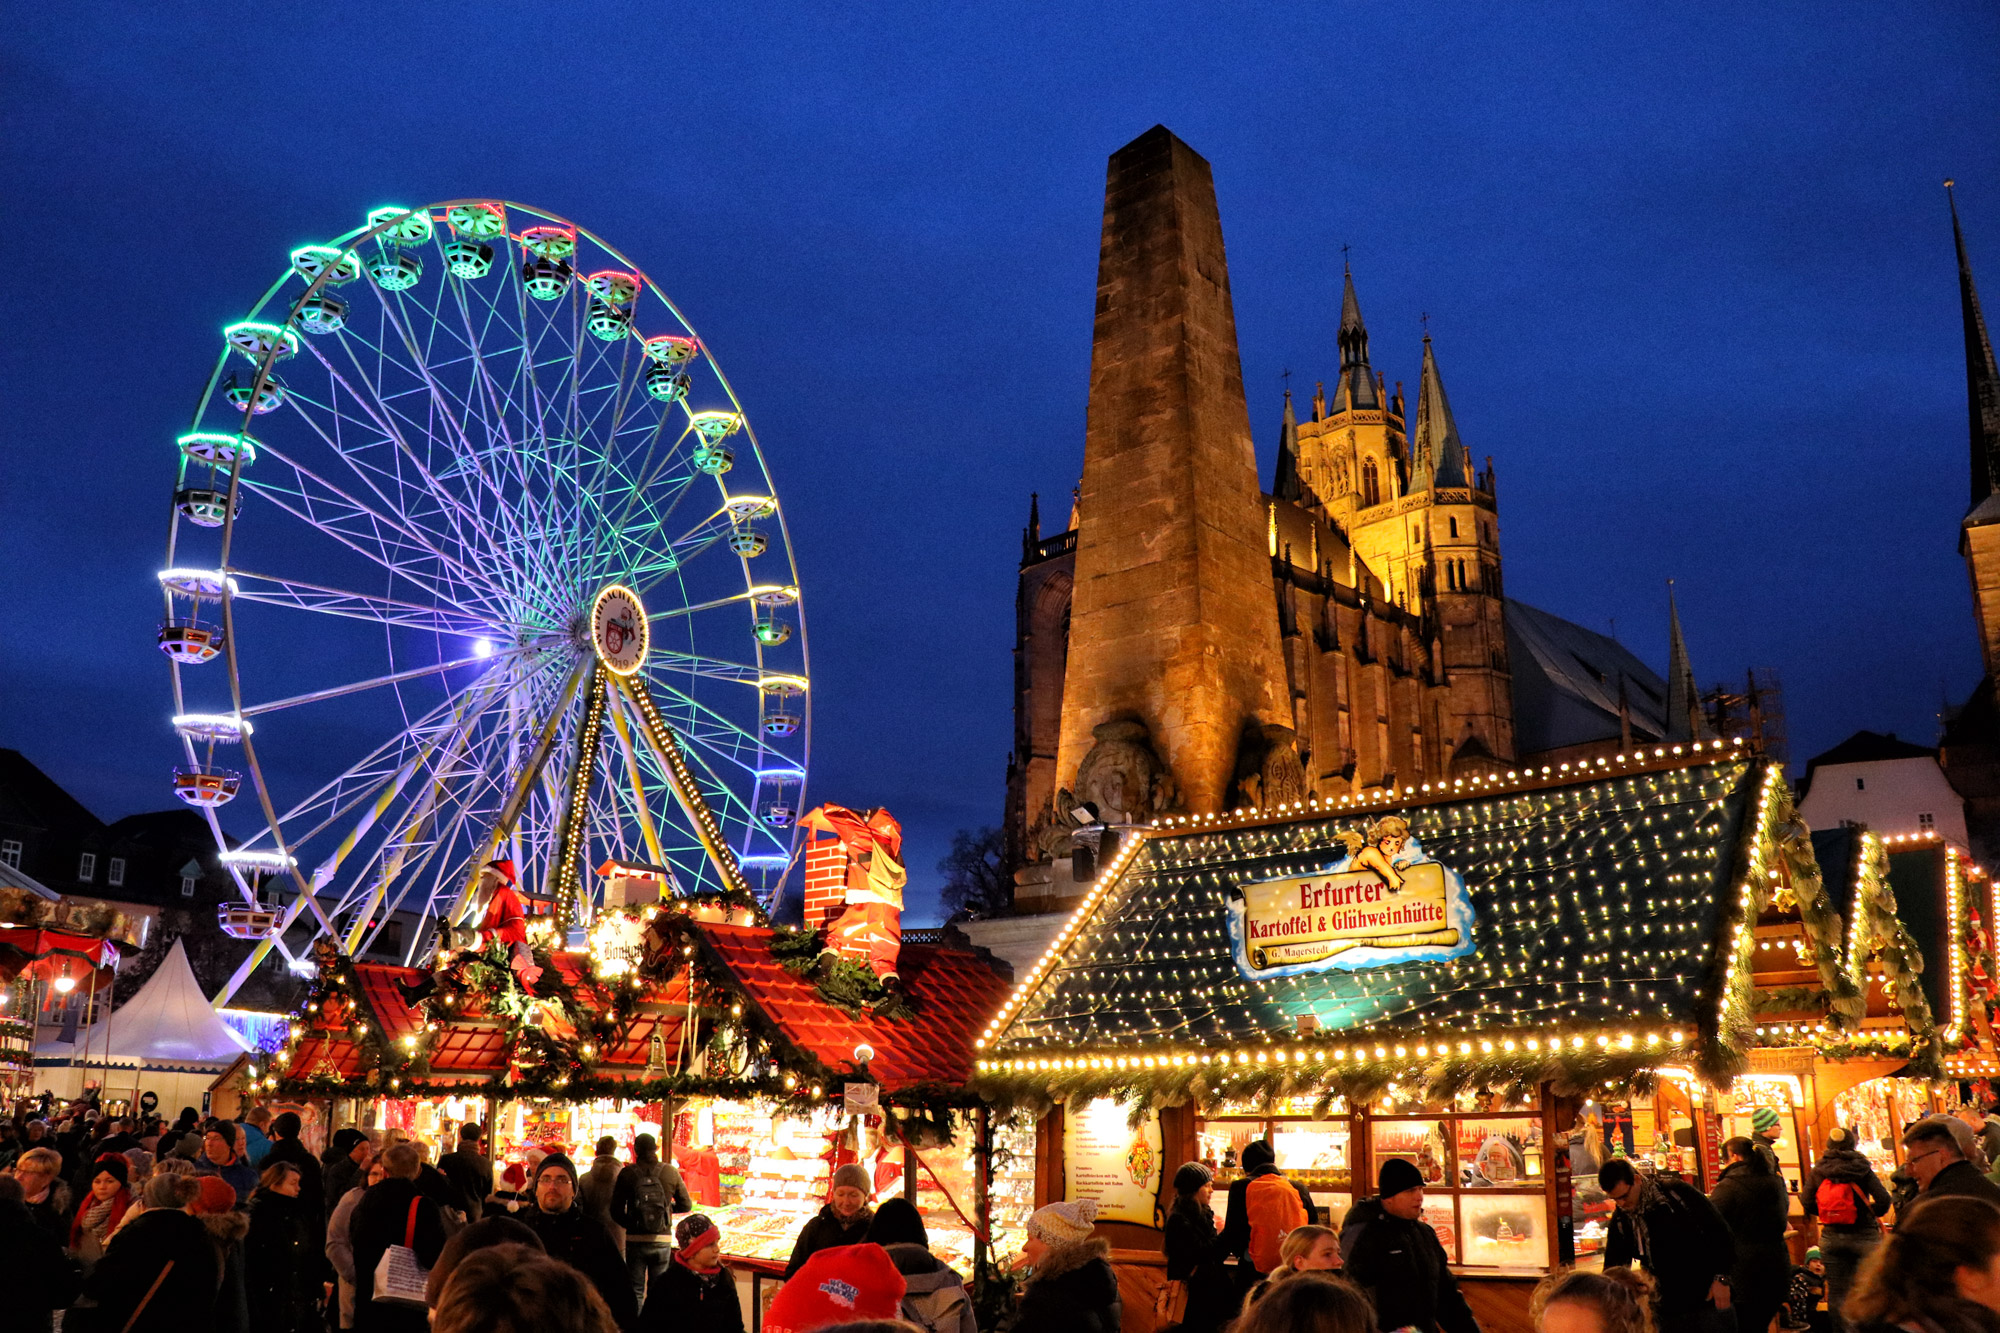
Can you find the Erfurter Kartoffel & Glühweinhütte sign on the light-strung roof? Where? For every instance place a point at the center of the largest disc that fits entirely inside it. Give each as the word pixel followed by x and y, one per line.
pixel 1387 902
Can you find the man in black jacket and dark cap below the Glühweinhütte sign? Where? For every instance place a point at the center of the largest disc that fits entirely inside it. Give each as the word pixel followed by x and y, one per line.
pixel 1397 1260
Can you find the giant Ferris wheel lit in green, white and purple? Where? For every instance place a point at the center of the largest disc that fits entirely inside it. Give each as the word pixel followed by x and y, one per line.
pixel 475 555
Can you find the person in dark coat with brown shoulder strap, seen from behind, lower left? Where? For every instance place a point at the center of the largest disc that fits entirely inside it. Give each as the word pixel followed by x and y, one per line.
pixel 163 1252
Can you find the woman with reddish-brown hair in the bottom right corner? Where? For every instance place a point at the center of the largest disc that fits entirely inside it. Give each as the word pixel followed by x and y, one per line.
pixel 1939 1270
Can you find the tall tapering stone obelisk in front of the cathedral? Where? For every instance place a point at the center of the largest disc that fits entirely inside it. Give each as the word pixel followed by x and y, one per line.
pixel 1173 621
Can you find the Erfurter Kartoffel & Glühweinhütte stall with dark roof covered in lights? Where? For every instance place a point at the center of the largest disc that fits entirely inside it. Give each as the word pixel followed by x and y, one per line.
pixel 1505 982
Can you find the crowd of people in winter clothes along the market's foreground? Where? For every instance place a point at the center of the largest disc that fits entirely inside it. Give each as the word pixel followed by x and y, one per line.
pixel 115 1226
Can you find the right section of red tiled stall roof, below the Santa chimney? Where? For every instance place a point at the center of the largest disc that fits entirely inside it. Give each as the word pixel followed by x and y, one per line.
pixel 951 992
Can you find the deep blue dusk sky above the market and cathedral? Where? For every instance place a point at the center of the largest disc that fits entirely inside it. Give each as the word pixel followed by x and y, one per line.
pixel 1689 279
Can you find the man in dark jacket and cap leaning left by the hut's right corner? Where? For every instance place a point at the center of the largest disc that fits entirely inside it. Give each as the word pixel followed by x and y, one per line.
pixel 1673 1232
